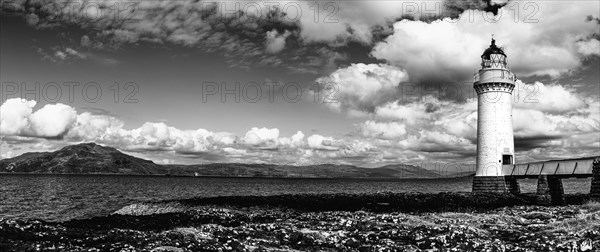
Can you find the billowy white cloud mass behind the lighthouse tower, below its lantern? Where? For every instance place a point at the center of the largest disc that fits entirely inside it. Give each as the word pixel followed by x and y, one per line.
pixel 446 130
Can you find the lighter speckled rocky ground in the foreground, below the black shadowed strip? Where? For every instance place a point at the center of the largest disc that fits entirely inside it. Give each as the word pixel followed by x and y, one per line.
pixel 208 228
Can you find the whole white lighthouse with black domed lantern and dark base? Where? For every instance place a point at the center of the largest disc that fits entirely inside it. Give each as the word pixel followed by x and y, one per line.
pixel 494 84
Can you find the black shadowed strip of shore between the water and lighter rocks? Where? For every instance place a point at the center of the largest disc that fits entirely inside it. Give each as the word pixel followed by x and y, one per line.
pixel 379 202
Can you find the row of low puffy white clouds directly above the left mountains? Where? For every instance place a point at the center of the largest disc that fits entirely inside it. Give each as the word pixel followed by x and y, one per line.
pixel 56 125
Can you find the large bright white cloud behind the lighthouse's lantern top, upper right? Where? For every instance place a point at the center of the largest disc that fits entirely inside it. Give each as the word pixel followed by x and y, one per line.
pixel 448 50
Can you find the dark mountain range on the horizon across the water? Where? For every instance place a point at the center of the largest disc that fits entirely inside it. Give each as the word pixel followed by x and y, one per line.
pixel 89 158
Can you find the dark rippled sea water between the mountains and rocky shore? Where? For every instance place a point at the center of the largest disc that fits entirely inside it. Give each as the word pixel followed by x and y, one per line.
pixel 64 197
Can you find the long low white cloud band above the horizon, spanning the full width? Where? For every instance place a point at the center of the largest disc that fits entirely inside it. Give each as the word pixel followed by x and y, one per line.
pixel 397 131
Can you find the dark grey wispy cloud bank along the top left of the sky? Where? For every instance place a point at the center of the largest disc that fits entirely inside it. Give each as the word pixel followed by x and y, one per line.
pixel 314 30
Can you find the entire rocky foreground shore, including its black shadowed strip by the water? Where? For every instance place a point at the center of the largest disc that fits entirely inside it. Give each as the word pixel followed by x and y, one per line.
pixel 380 222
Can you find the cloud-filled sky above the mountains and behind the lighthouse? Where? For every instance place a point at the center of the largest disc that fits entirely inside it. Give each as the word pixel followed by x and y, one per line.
pixel 366 83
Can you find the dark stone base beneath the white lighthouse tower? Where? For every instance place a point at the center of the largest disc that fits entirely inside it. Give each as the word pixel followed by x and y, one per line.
pixel 495 184
